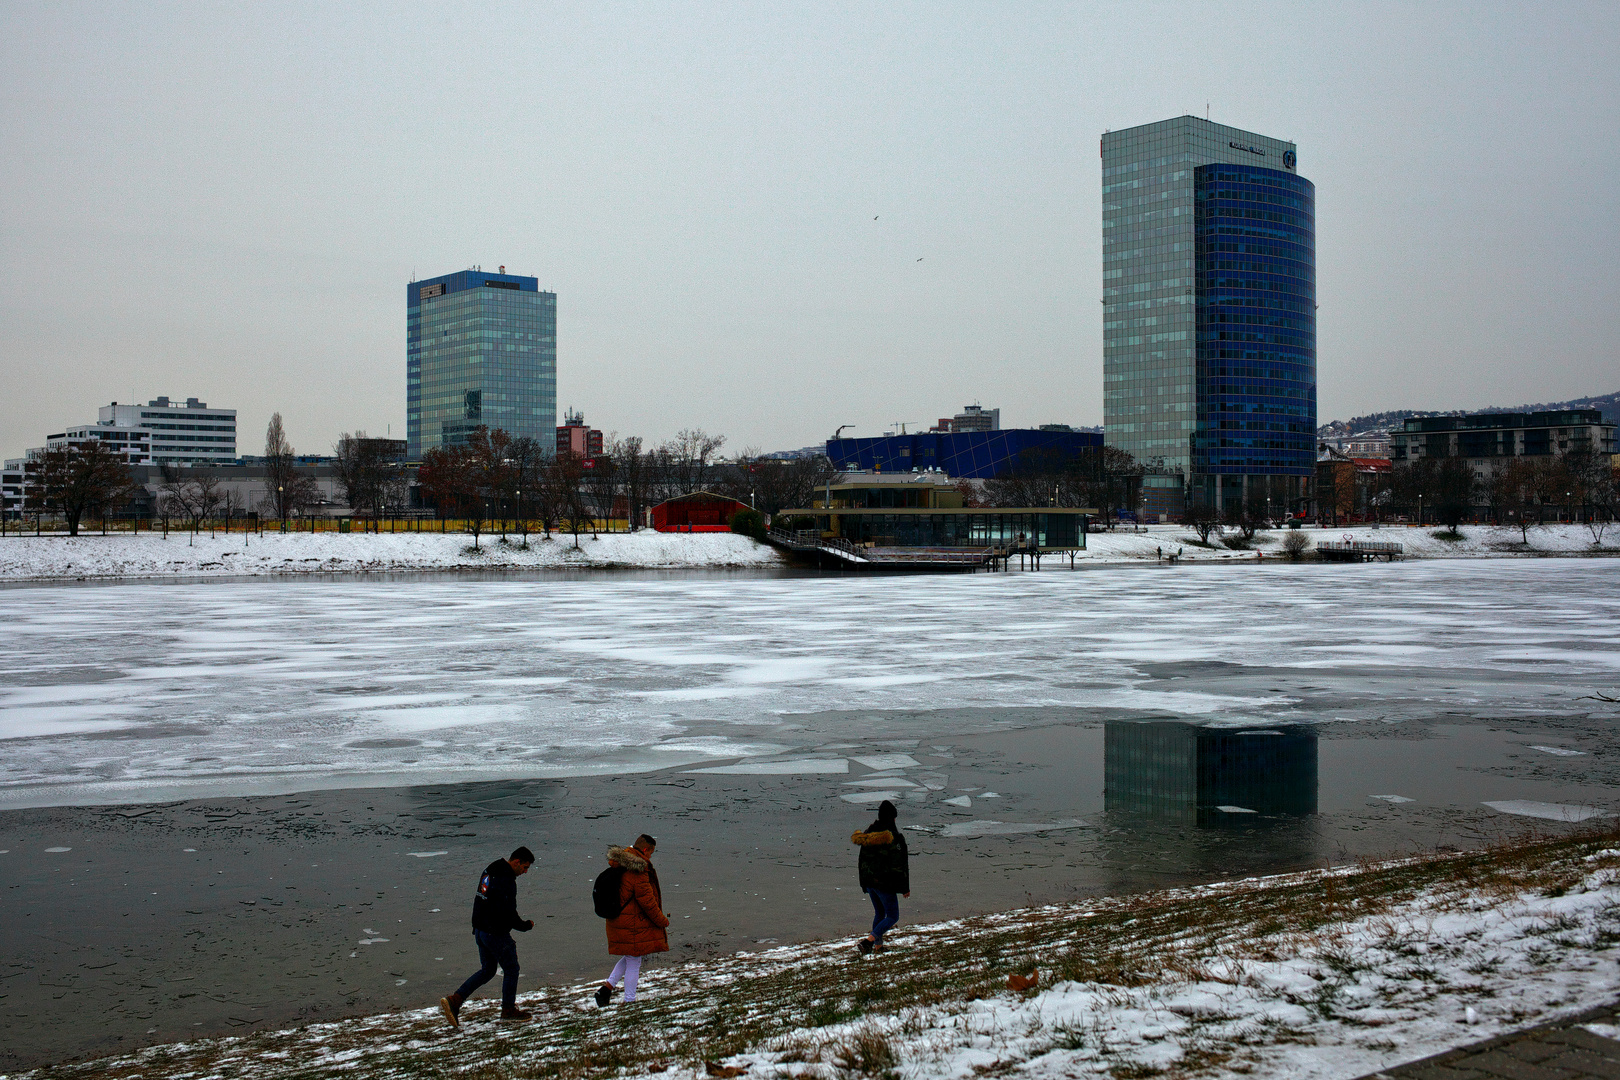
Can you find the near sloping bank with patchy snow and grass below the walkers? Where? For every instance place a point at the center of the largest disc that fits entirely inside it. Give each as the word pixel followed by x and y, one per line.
pixel 1318 976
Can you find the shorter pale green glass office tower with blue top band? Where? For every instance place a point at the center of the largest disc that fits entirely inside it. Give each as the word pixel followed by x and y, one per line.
pixel 480 351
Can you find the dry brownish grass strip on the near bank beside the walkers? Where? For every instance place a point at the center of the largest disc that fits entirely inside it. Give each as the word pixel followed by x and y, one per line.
pixel 775 1003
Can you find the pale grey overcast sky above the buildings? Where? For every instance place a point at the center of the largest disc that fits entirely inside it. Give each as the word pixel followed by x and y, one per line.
pixel 769 221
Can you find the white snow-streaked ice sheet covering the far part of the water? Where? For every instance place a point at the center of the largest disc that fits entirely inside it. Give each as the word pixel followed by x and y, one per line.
pixel 156 692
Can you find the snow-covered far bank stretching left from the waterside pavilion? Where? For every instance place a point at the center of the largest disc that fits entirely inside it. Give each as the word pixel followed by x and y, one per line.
pixel 153 556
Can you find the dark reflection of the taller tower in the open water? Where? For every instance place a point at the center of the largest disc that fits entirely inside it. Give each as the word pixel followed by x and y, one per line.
pixel 1206 775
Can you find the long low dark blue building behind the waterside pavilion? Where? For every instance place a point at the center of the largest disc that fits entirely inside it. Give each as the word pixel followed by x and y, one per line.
pixel 963 454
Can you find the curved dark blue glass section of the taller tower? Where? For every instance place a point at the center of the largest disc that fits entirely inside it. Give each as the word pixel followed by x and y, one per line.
pixel 1255 435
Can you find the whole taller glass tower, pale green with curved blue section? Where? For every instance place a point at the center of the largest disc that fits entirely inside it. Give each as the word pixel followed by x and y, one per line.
pixel 1209 310
